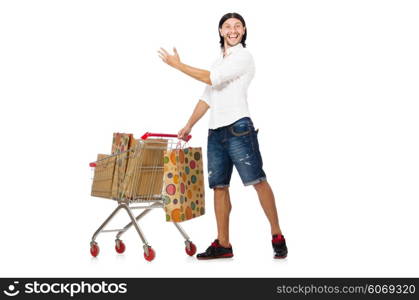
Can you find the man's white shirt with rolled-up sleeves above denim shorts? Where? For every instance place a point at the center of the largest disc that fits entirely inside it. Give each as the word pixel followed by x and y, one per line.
pixel 230 77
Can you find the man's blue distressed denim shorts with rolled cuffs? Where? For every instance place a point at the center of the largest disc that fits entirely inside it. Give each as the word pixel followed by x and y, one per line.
pixel 237 145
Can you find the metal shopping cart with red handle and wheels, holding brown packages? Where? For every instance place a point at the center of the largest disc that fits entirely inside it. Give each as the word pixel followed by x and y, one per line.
pixel 136 177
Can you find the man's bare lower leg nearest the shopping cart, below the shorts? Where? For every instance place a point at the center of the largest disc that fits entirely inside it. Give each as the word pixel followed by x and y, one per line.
pixel 222 207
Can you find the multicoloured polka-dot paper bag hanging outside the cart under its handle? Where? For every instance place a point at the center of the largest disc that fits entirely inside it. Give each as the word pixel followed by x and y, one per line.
pixel 183 184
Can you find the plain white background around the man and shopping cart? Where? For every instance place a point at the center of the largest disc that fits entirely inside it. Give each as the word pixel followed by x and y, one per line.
pixel 335 98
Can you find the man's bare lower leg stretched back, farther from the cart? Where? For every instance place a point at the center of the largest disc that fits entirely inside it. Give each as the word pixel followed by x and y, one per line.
pixel 267 200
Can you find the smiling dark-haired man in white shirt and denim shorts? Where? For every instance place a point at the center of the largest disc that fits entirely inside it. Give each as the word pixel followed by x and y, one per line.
pixel 232 139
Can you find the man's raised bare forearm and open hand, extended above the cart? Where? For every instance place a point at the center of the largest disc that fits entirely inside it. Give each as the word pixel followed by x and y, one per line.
pixel 174 61
